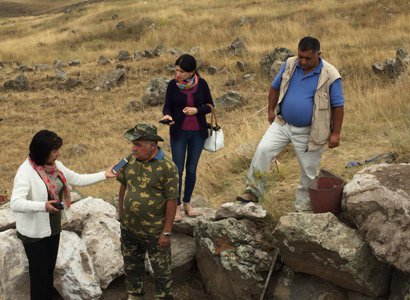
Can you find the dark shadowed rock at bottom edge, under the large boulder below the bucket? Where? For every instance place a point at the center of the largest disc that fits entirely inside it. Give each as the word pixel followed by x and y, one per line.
pixel 290 286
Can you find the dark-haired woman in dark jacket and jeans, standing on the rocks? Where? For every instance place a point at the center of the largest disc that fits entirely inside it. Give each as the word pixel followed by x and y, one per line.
pixel 188 100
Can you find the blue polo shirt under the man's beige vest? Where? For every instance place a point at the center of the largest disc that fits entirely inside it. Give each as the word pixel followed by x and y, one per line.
pixel 296 107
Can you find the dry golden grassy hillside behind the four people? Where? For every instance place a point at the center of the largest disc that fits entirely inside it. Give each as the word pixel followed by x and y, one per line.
pixel 354 35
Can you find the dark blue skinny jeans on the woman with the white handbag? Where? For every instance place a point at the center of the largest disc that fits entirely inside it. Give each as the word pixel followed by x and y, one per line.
pixel 187 144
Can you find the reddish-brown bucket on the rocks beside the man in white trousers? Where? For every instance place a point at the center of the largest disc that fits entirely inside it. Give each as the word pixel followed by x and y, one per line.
pixel 327 195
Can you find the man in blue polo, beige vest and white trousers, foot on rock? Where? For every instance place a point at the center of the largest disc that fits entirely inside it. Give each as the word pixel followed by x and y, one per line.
pixel 305 108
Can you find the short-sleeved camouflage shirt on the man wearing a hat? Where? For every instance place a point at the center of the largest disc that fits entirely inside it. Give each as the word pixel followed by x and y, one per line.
pixel 149 185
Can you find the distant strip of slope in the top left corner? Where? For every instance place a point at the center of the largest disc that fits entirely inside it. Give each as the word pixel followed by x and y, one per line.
pixel 20 8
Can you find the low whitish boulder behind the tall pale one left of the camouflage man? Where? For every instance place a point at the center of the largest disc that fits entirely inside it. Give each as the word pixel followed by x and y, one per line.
pixel 88 207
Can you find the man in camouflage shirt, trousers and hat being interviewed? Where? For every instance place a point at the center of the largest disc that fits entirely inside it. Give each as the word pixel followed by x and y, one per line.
pixel 147 206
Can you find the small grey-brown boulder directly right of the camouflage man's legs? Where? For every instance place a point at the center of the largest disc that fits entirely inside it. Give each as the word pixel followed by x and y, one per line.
pixel 183 256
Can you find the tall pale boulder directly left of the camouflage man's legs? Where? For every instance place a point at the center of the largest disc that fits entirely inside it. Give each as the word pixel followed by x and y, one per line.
pixel 101 235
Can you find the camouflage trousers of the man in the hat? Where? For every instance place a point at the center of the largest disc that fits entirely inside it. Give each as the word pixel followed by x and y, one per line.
pixel 133 249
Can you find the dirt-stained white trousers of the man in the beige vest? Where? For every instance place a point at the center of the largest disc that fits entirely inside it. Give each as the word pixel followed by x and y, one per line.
pixel 276 138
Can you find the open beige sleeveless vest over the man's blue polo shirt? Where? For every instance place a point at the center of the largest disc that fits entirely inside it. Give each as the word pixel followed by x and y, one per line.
pixel 321 119
